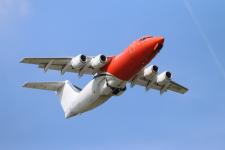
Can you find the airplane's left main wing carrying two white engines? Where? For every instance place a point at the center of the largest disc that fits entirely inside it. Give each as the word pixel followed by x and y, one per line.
pixel 65 64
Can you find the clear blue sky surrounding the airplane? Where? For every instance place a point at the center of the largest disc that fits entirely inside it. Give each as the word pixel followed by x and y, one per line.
pixel 194 51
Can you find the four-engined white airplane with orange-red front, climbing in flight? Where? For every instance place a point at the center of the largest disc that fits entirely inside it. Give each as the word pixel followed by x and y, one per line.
pixel 110 74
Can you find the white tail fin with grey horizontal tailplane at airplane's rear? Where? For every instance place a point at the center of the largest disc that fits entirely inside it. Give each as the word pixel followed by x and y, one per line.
pixel 65 90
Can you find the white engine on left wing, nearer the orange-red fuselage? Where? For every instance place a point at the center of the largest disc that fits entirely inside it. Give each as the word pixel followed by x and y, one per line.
pixel 98 61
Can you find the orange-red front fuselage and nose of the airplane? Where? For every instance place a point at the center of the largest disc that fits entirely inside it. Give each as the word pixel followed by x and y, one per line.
pixel 134 58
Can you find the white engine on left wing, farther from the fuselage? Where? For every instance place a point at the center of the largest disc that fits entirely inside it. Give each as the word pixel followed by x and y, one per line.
pixel 79 61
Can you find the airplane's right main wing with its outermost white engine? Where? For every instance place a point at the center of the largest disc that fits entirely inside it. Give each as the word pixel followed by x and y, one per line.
pixel 159 82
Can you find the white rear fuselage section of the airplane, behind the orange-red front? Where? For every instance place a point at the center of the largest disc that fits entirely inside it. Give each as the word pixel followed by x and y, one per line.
pixel 96 92
